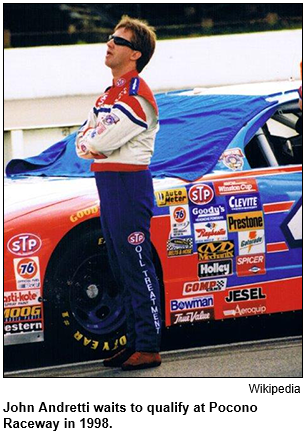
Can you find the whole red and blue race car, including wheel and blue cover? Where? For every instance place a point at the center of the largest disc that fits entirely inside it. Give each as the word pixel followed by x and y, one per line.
pixel 226 230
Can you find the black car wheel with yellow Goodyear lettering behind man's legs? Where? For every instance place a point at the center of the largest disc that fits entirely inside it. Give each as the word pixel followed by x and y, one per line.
pixel 84 315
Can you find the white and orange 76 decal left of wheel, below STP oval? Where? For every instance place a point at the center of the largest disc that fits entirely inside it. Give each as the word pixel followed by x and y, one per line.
pixel 27 273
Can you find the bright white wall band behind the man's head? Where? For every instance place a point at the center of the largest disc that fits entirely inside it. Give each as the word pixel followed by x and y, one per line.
pixel 207 61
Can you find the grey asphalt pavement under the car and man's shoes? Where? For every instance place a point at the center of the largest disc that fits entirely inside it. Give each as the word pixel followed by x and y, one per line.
pixel 280 357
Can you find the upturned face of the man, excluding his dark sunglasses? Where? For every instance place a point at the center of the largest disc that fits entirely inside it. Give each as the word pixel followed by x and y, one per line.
pixel 118 56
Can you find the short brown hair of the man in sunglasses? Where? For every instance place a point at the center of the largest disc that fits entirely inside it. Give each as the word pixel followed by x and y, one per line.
pixel 143 39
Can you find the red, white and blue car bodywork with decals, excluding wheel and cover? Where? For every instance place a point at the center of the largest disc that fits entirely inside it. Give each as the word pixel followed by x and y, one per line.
pixel 229 243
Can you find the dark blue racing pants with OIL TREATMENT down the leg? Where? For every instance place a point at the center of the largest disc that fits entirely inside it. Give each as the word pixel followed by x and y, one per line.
pixel 126 202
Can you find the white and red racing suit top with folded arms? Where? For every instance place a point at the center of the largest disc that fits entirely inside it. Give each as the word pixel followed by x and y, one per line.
pixel 121 128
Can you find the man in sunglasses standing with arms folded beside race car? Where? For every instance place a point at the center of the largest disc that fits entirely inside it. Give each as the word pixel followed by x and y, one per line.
pixel 119 135
